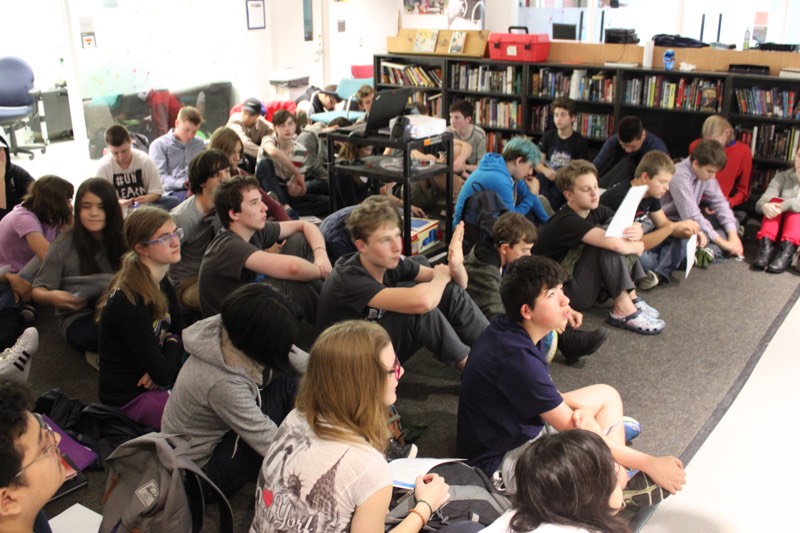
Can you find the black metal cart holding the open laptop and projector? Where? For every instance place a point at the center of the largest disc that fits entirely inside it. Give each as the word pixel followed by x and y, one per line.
pixel 371 167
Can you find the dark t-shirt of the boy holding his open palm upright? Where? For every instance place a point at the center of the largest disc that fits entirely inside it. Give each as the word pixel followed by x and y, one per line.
pixel 349 288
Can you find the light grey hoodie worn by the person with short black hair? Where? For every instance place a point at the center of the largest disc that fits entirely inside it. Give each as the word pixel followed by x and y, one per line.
pixel 212 396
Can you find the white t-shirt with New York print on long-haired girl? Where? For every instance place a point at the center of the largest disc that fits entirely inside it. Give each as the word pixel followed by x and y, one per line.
pixel 313 485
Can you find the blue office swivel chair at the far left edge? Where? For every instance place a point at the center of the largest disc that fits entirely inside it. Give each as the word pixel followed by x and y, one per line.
pixel 18 100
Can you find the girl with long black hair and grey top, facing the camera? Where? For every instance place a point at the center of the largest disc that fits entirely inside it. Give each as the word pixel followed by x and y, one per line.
pixel 81 262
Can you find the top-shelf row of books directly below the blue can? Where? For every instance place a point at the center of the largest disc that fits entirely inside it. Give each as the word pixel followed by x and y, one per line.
pixel 664 92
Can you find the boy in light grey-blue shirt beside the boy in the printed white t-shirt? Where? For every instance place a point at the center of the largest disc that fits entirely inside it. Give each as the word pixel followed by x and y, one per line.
pixel 172 152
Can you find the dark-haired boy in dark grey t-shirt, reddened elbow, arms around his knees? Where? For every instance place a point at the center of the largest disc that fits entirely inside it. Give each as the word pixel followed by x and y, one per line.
pixel 237 254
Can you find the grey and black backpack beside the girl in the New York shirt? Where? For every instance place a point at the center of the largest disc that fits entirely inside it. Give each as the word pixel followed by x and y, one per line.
pixel 473 498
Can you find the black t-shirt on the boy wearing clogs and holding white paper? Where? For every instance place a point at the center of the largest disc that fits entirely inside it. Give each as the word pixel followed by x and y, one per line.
pixel 565 230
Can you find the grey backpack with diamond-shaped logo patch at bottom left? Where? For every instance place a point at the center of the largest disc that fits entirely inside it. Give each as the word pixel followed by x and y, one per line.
pixel 153 486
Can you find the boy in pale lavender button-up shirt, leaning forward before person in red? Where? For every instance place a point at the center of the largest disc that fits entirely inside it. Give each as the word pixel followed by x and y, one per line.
pixel 694 181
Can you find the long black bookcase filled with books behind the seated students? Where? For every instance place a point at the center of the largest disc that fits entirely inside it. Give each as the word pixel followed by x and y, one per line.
pixel 672 104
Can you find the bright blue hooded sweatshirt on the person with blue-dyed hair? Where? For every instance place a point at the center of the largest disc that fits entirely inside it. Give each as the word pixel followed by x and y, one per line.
pixel 492 174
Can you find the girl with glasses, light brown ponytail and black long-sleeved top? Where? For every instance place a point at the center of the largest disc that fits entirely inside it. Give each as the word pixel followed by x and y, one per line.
pixel 140 320
